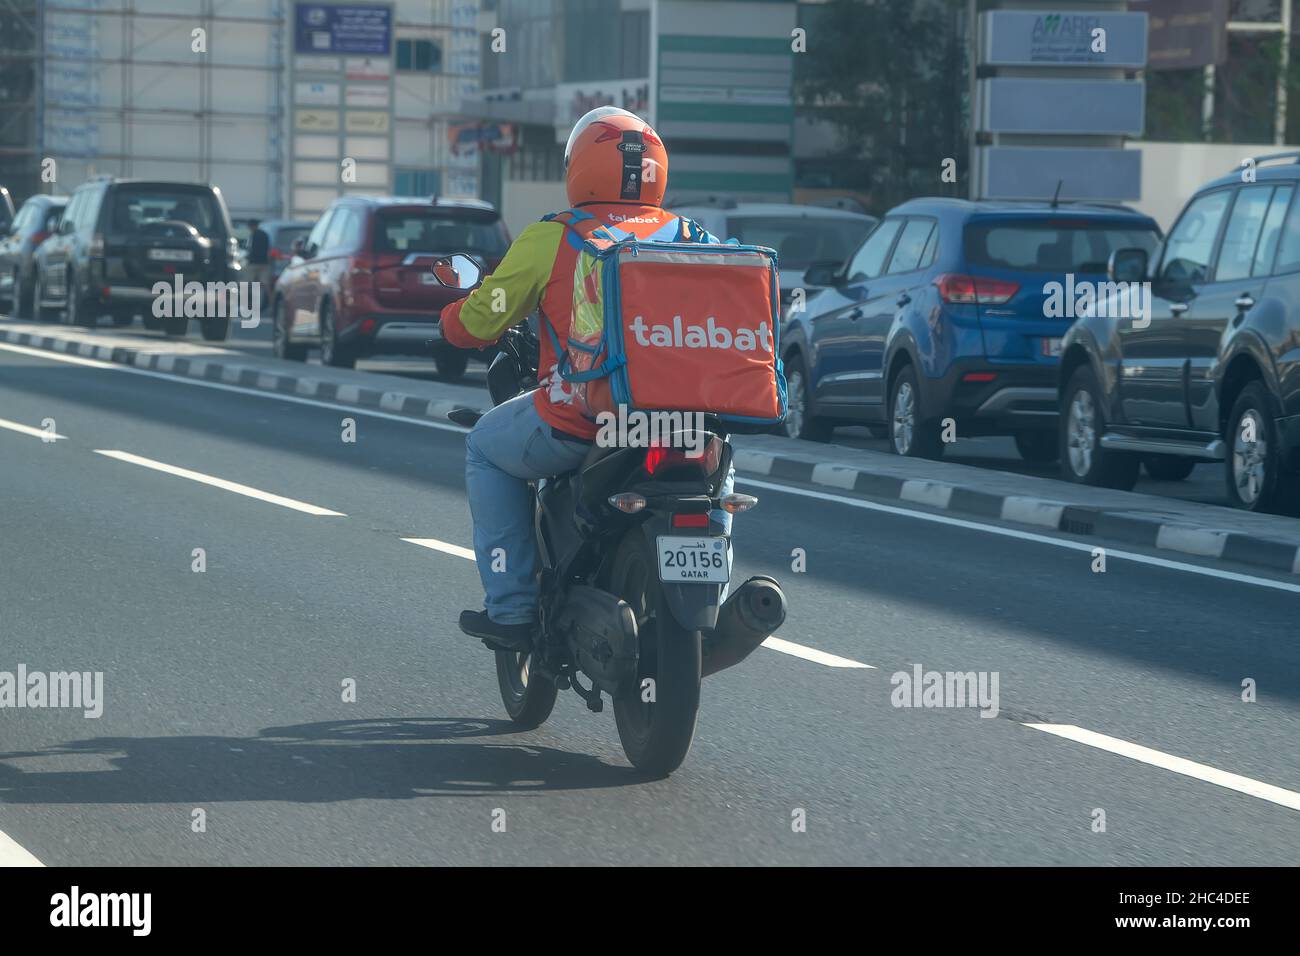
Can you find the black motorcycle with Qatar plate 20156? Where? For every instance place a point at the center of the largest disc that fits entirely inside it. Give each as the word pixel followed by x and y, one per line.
pixel 635 566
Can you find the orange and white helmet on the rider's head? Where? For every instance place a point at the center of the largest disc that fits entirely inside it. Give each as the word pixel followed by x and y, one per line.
pixel 614 157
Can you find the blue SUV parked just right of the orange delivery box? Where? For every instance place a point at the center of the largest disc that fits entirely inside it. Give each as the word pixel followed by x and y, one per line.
pixel 943 314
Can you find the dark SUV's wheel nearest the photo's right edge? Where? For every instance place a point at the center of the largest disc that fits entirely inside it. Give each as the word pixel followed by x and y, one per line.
pixel 1254 468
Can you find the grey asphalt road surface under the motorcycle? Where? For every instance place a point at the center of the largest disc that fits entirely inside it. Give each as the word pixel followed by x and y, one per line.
pixel 224 689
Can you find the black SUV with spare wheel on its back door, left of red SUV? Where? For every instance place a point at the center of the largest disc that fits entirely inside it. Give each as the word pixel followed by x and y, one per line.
pixel 120 237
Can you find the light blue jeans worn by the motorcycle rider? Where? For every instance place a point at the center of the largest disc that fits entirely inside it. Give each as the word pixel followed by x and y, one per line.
pixel 510 447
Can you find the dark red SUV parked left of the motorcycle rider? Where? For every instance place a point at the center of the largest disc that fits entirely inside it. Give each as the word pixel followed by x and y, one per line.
pixel 361 284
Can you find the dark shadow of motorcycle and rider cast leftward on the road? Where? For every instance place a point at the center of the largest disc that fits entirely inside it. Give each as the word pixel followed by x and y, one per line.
pixel 396 759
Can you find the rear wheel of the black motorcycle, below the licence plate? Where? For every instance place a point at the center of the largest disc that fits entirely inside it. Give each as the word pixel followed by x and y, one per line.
pixel 657 713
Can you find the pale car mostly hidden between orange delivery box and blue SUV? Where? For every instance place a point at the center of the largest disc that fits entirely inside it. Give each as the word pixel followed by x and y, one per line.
pixel 801 235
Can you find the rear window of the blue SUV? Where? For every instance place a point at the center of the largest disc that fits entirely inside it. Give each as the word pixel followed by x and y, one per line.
pixel 1080 246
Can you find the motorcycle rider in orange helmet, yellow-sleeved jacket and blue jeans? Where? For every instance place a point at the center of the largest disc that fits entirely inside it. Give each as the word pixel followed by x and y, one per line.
pixel 617 170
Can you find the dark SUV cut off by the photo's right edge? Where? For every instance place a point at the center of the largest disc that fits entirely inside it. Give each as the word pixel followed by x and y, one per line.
pixel 1214 373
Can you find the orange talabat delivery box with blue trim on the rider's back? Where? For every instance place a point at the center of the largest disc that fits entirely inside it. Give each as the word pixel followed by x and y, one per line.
pixel 673 326
